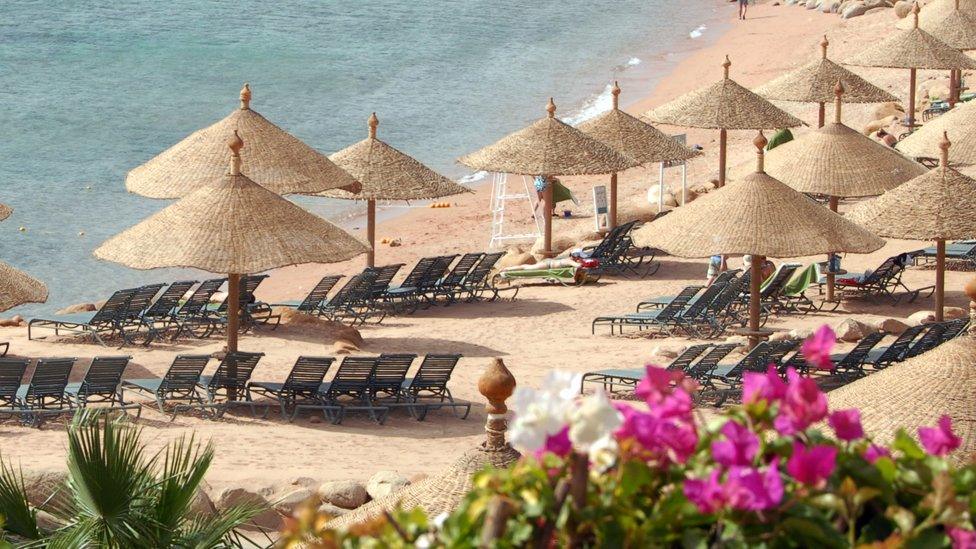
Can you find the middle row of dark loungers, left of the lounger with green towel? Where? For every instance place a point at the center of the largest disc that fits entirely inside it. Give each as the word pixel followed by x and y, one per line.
pixel 371 294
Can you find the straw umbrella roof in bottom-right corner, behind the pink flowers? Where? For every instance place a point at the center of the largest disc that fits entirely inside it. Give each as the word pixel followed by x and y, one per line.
pixel 915 393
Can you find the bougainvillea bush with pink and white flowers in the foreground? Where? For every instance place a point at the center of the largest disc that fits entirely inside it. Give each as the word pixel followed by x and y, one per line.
pixel 779 470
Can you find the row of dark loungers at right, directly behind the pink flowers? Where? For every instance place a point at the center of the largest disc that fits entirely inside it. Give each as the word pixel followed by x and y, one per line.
pixel 702 362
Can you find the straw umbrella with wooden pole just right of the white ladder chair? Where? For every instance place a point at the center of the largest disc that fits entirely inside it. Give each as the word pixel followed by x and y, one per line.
pixel 548 147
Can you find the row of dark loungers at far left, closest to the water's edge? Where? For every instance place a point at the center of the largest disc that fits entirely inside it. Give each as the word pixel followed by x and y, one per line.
pixel 140 315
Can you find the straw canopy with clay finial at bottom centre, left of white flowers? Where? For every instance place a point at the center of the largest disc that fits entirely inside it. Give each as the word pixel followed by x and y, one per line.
pixel 443 493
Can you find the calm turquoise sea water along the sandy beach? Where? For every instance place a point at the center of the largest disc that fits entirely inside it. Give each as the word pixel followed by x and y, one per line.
pixel 90 89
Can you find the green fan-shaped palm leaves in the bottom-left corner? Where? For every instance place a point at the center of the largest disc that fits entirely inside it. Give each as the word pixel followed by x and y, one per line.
pixel 117 496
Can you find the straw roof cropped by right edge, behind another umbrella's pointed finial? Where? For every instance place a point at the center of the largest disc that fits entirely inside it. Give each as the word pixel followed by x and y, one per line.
pixel 960 122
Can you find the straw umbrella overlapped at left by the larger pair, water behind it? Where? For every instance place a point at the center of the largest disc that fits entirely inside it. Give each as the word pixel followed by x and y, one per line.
pixel 384 173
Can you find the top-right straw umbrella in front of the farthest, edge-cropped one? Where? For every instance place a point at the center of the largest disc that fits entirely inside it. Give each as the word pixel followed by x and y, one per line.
pixel 912 49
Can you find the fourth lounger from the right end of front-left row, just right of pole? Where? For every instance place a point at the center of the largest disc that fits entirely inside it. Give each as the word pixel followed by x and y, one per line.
pixel 301 387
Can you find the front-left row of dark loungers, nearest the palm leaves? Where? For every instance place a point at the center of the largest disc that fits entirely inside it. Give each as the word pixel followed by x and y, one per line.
pixel 376 385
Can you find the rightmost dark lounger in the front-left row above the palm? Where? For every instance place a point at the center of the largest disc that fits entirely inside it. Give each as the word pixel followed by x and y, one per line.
pixel 428 390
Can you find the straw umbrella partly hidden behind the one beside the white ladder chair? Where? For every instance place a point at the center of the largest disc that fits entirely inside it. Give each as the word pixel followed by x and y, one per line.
pixel 636 139
